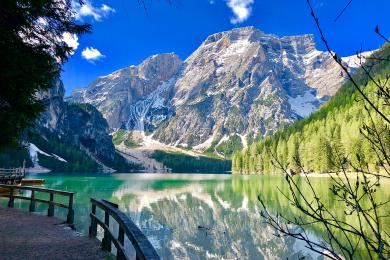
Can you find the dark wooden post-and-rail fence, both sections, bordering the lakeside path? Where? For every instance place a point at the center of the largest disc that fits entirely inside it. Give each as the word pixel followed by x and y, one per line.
pixel 126 227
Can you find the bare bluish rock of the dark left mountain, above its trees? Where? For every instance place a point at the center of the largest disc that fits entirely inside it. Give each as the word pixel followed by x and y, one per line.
pixel 81 125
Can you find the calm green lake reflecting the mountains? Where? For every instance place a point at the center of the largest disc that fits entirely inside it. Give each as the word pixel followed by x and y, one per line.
pixel 170 208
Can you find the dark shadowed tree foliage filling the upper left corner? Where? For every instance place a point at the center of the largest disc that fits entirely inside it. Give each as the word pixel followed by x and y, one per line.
pixel 32 51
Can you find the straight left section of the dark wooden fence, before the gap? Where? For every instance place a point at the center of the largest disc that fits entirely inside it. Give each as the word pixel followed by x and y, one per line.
pixel 10 192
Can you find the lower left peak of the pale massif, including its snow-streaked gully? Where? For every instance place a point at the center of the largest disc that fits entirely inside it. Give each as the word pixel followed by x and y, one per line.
pixel 127 96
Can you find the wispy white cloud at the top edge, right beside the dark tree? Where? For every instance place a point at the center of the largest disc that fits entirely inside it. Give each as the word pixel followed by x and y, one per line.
pixel 87 9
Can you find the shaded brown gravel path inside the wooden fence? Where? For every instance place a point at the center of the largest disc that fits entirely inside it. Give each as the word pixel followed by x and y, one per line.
pixel 24 235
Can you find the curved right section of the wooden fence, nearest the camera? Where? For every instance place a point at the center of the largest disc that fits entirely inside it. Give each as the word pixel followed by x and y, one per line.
pixel 142 246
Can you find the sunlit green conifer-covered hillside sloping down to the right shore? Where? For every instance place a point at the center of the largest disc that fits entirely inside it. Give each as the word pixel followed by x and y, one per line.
pixel 335 125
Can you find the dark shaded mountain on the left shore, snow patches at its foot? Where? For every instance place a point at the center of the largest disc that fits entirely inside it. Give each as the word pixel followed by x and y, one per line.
pixel 68 137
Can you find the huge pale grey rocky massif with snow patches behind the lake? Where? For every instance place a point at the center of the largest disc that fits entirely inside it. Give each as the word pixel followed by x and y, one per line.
pixel 237 86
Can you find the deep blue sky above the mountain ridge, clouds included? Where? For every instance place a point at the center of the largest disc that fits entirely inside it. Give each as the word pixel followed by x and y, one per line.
pixel 124 33
